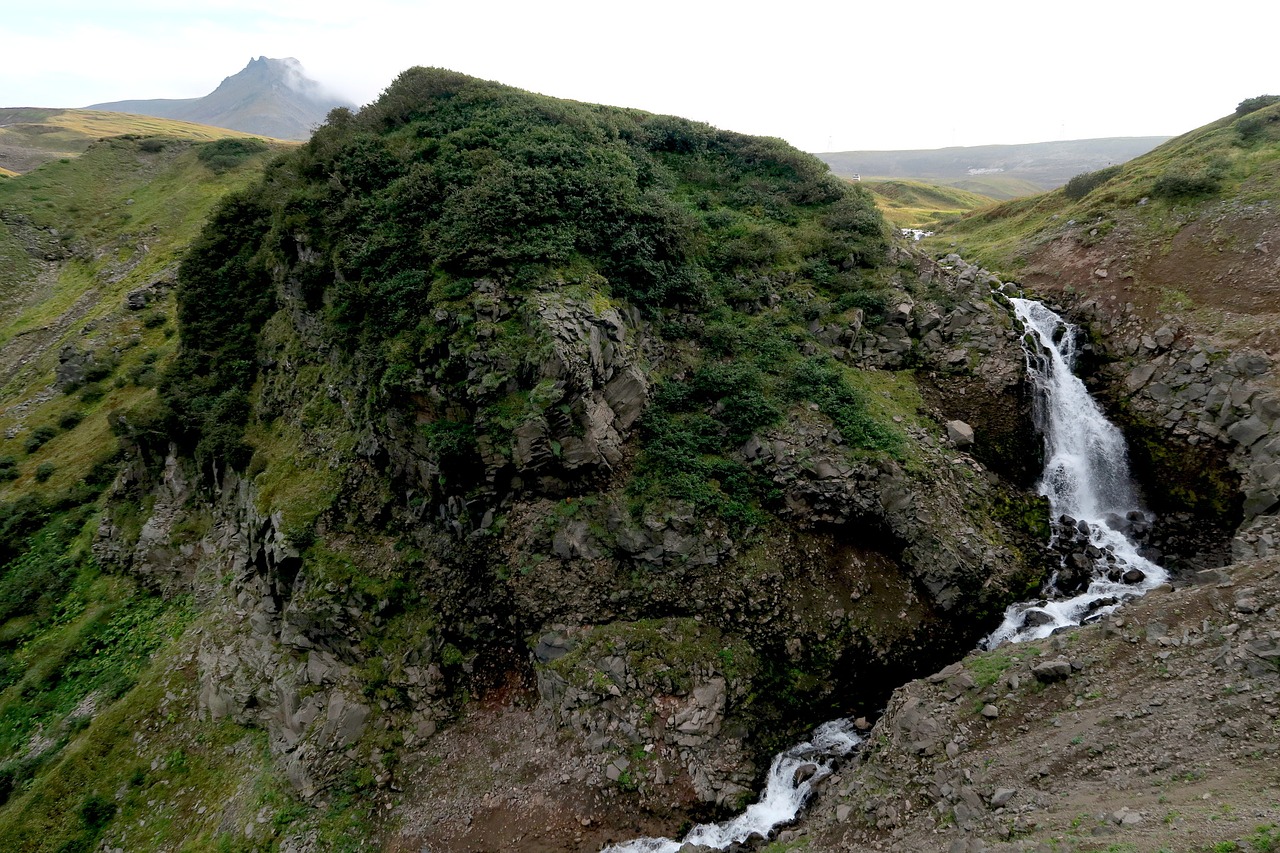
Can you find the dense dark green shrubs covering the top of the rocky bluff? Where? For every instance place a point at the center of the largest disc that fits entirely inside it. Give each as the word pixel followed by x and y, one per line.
pixel 391 218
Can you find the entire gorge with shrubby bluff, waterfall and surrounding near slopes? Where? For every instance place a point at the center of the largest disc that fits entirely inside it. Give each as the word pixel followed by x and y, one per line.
pixel 497 472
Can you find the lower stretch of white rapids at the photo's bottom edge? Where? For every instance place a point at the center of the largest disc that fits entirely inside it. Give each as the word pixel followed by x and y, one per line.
pixel 780 802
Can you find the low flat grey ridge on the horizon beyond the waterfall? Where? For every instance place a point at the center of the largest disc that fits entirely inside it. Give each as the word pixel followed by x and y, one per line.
pixel 1000 171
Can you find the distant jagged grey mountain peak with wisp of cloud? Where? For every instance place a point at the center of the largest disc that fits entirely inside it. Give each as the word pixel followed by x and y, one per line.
pixel 269 98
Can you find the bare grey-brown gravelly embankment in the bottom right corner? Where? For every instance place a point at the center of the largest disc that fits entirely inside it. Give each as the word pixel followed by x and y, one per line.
pixel 1154 731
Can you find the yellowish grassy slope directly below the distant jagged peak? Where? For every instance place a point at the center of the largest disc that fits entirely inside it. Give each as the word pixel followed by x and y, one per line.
pixel 31 136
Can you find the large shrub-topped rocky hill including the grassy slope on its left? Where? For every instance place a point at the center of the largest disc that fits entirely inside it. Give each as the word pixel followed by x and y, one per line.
pixel 474 396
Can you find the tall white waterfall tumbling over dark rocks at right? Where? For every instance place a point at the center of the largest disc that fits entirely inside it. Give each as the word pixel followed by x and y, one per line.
pixel 1086 477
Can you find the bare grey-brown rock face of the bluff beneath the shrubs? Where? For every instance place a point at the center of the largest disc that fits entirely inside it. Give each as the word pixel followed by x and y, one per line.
pixel 643 651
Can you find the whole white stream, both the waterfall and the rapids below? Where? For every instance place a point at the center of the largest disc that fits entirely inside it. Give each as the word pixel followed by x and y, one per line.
pixel 1092 504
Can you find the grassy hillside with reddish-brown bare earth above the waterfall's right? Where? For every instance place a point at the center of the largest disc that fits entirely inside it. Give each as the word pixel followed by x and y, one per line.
pixel 1183 229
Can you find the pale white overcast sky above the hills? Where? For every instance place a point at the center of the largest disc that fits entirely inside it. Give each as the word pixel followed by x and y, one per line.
pixel 824 76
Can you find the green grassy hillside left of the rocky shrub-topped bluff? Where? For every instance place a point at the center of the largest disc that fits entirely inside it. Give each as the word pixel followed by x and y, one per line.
pixel 89 659
